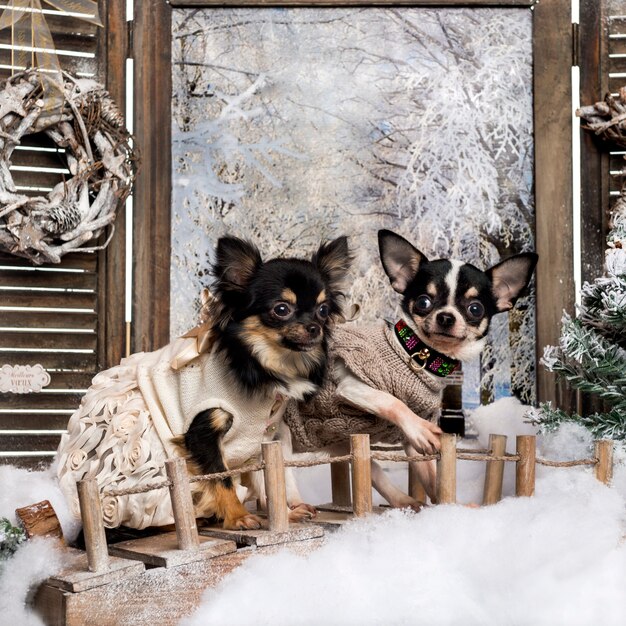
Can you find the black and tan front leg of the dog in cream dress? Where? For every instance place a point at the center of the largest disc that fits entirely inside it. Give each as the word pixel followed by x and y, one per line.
pixel 203 442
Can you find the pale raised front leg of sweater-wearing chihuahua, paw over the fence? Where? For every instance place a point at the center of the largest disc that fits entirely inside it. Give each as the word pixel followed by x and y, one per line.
pixel 421 434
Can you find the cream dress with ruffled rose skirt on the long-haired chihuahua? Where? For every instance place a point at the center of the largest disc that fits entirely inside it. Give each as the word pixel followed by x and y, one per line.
pixel 121 433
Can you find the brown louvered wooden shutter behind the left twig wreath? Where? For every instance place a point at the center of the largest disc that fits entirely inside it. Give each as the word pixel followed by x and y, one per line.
pixel 67 317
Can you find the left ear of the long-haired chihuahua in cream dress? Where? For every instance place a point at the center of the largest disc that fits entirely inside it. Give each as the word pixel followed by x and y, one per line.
pixel 236 262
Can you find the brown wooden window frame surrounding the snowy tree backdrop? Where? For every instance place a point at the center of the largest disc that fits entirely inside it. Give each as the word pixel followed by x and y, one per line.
pixel 552 61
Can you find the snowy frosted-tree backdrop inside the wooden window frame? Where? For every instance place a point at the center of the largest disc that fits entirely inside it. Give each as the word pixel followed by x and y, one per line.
pixel 295 125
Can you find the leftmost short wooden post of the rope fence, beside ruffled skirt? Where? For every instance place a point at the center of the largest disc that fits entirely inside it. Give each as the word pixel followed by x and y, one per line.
pixel 93 526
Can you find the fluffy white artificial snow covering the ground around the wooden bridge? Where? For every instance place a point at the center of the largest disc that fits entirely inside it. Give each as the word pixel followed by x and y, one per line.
pixel 555 558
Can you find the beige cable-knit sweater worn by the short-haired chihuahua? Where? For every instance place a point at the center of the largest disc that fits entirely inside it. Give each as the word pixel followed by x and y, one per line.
pixel 373 354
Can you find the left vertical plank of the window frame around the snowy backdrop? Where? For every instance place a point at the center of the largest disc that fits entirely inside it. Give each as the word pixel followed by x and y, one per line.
pixel 153 88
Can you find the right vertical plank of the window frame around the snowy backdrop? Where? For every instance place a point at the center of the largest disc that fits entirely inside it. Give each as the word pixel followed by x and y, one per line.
pixel 552 50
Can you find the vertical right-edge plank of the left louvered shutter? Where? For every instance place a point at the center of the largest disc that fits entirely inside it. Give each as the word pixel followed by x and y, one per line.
pixel 112 52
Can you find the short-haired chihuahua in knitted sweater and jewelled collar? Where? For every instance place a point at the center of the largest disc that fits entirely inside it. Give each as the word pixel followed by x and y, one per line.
pixel 447 306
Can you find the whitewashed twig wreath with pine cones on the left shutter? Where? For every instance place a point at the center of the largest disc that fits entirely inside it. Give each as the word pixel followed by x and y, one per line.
pixel 89 130
